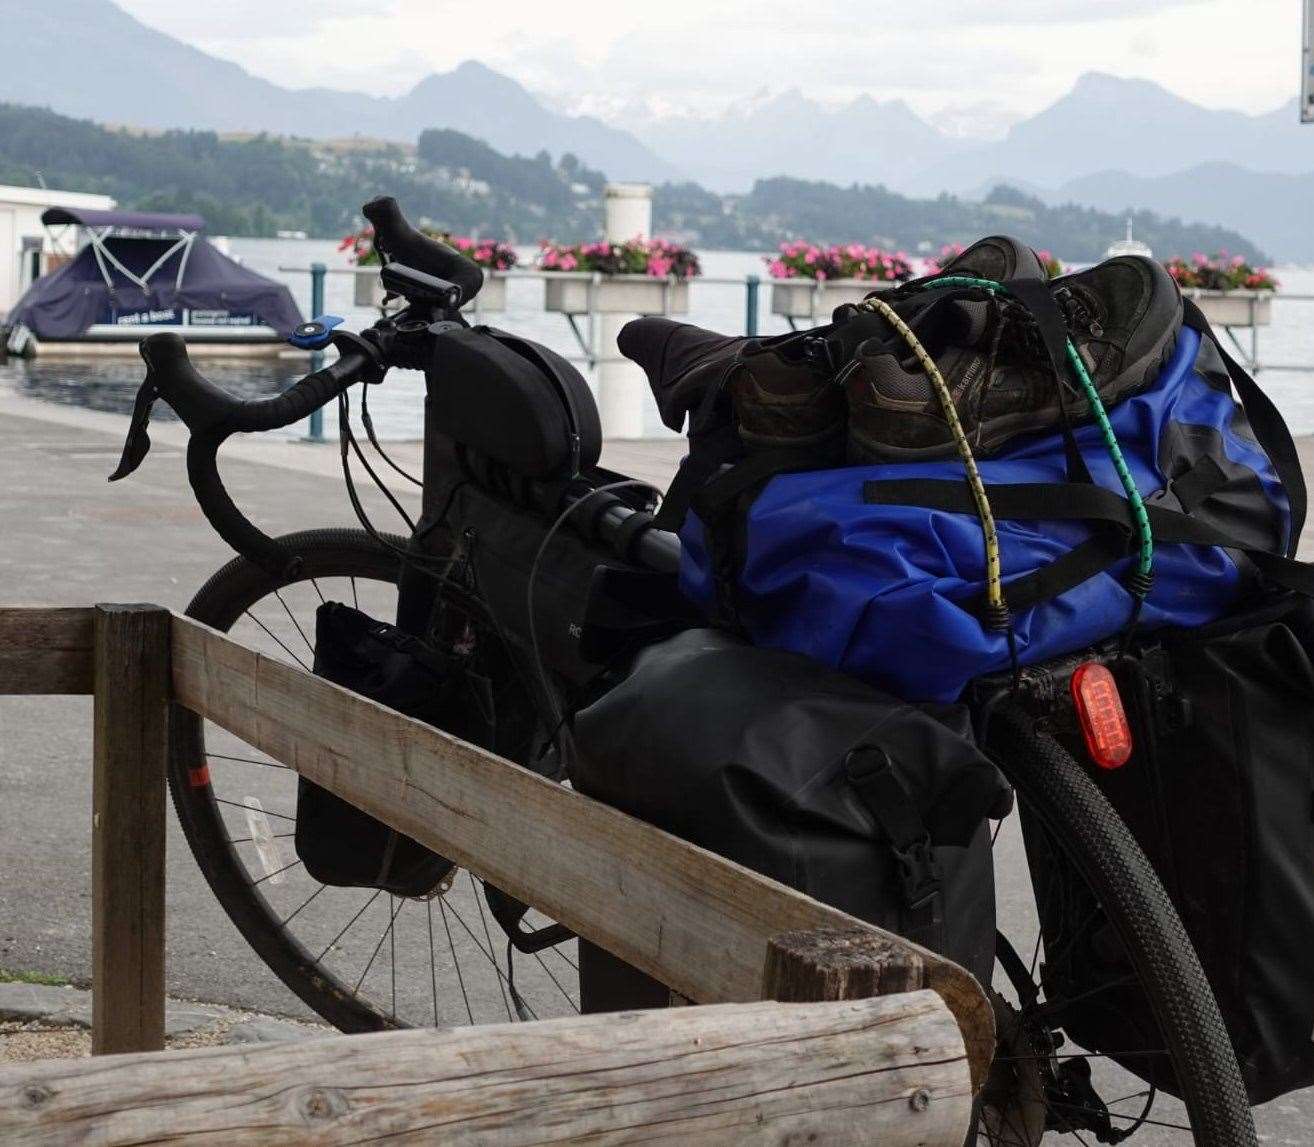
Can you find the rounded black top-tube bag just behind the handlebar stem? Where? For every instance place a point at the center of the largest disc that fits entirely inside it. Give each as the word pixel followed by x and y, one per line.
pixel 513 401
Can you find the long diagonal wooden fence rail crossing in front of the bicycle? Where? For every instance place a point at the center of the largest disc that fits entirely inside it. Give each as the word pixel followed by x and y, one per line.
pixel 691 919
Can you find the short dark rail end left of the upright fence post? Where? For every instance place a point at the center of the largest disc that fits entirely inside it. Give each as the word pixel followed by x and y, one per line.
pixel 45 651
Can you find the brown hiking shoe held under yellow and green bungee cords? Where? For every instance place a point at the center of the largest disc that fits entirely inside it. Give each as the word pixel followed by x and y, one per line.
pixel 1123 316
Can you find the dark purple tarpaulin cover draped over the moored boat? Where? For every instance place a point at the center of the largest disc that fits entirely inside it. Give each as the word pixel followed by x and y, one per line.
pixel 65 304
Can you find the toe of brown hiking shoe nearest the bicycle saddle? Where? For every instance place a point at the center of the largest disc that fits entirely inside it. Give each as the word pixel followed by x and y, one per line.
pixel 785 397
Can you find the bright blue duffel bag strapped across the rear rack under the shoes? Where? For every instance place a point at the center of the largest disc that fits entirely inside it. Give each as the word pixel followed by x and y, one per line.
pixel 859 567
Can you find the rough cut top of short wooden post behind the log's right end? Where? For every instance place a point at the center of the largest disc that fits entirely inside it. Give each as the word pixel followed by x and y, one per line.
pixel 839 965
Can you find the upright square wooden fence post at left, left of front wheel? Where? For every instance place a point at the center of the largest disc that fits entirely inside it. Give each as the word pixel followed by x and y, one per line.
pixel 132 692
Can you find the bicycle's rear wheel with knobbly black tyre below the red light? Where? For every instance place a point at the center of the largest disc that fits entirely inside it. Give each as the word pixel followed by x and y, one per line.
pixel 1111 940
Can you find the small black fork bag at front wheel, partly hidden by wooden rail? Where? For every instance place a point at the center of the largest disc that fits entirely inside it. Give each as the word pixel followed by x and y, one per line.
pixel 337 843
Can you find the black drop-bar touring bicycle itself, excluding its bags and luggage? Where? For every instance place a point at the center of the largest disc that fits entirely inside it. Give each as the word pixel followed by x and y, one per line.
pixel 1097 897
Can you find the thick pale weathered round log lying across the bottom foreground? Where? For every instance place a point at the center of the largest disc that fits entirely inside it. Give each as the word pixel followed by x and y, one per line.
pixel 889 1071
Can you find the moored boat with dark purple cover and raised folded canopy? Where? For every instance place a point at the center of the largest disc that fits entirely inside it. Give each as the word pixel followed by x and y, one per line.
pixel 136 274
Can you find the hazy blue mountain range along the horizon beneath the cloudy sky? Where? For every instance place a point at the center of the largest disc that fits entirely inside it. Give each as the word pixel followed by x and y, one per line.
pixel 1110 143
